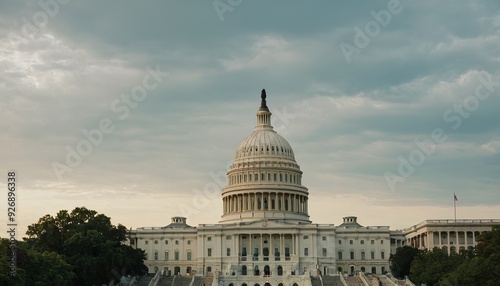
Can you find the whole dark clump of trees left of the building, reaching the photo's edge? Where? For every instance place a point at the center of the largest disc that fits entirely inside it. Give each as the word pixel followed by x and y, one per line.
pixel 80 247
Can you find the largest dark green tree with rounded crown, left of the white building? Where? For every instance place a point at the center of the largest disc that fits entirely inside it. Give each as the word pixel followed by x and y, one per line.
pixel 89 243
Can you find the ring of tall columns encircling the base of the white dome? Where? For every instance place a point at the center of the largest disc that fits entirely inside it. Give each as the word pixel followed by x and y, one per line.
pixel 265 201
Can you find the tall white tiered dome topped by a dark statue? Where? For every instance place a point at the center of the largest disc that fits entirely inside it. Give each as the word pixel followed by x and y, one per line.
pixel 264 181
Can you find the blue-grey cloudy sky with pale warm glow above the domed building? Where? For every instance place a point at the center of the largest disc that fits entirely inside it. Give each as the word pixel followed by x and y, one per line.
pixel 136 109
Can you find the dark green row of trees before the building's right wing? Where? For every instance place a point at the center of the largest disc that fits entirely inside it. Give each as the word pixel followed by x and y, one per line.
pixel 477 266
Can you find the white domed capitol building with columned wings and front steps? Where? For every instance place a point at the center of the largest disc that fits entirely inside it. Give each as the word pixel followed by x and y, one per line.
pixel 265 234
